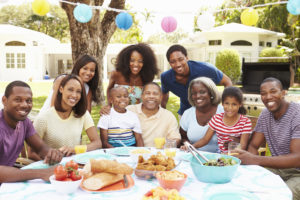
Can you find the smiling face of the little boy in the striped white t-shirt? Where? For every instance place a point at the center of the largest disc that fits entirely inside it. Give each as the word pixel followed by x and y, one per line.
pixel 119 99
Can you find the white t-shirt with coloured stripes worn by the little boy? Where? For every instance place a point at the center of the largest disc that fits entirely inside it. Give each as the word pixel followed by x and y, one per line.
pixel 120 126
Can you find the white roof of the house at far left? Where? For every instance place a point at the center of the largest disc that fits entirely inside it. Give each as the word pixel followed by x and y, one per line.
pixel 6 29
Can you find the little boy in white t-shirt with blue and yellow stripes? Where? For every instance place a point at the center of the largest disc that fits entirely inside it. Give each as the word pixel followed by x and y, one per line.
pixel 121 125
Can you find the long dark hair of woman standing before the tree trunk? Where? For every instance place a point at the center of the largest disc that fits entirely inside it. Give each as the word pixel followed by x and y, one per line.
pixel 93 83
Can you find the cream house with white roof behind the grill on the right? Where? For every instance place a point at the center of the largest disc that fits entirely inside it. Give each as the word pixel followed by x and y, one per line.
pixel 247 40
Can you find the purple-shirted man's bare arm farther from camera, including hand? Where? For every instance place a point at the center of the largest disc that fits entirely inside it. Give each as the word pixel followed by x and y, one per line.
pixel 50 156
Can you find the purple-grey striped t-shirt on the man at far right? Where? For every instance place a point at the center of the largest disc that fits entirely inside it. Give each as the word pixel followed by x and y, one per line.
pixel 279 133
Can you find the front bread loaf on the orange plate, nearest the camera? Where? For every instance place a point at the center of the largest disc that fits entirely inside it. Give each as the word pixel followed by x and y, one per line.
pixel 100 180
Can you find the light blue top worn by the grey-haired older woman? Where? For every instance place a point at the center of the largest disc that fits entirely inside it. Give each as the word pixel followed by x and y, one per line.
pixel 195 131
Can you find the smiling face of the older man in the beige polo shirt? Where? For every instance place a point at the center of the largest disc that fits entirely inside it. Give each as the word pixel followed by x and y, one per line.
pixel 151 97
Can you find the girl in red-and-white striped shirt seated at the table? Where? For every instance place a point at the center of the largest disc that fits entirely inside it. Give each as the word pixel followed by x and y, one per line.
pixel 232 123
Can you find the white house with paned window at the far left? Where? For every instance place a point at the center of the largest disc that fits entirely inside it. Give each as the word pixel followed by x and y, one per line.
pixel 22 53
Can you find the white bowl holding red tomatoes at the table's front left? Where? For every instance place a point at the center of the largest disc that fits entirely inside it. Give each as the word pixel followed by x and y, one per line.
pixel 64 187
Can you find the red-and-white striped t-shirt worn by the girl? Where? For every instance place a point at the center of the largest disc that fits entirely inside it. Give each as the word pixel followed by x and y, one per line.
pixel 243 126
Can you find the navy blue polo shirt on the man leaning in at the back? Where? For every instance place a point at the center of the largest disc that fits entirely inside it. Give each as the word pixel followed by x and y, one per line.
pixel 197 69
